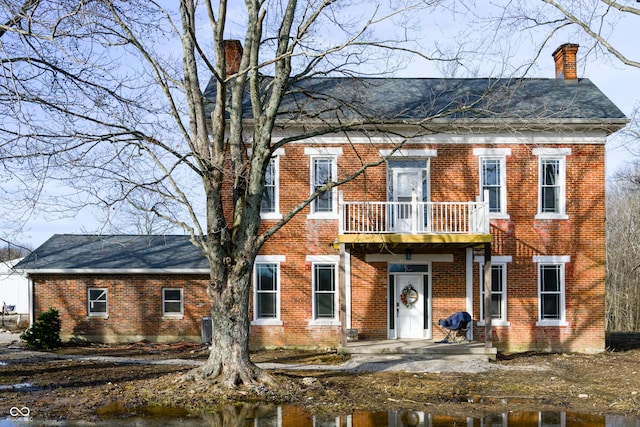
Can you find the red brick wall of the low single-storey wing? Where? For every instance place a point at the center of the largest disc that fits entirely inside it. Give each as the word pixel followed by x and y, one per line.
pixel 134 306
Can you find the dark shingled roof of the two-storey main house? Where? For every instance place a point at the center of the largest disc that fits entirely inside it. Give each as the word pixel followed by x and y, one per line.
pixel 409 100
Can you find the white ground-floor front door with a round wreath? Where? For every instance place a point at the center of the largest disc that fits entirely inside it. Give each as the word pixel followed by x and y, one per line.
pixel 410 306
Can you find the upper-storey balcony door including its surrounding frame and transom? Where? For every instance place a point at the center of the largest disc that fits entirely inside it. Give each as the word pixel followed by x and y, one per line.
pixel 407 178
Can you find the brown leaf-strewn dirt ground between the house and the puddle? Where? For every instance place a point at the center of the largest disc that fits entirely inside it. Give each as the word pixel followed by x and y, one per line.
pixel 54 387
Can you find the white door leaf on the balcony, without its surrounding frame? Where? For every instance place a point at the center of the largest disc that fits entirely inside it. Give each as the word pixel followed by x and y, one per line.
pixel 406 183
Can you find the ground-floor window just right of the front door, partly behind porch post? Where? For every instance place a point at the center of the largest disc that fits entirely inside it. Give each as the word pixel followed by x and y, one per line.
pixel 498 290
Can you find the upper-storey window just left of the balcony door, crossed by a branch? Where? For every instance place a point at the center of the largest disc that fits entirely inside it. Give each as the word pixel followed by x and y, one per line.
pixel 323 170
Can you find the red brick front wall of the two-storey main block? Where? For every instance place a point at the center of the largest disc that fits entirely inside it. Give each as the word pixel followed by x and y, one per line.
pixel 454 177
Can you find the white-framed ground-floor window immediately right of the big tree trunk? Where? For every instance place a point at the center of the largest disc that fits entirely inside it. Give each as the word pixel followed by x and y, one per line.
pixel 266 290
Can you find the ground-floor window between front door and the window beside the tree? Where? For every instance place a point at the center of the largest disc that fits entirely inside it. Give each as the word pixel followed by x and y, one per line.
pixel 324 289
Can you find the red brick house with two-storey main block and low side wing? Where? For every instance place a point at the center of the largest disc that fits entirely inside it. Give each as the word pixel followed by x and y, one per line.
pixel 495 207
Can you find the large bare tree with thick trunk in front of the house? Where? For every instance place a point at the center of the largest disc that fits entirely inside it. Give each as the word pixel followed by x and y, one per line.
pixel 107 98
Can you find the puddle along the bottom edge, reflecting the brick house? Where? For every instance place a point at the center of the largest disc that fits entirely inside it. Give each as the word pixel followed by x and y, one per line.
pixel 296 416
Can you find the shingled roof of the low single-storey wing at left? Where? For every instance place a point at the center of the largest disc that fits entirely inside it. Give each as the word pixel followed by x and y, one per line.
pixel 133 253
